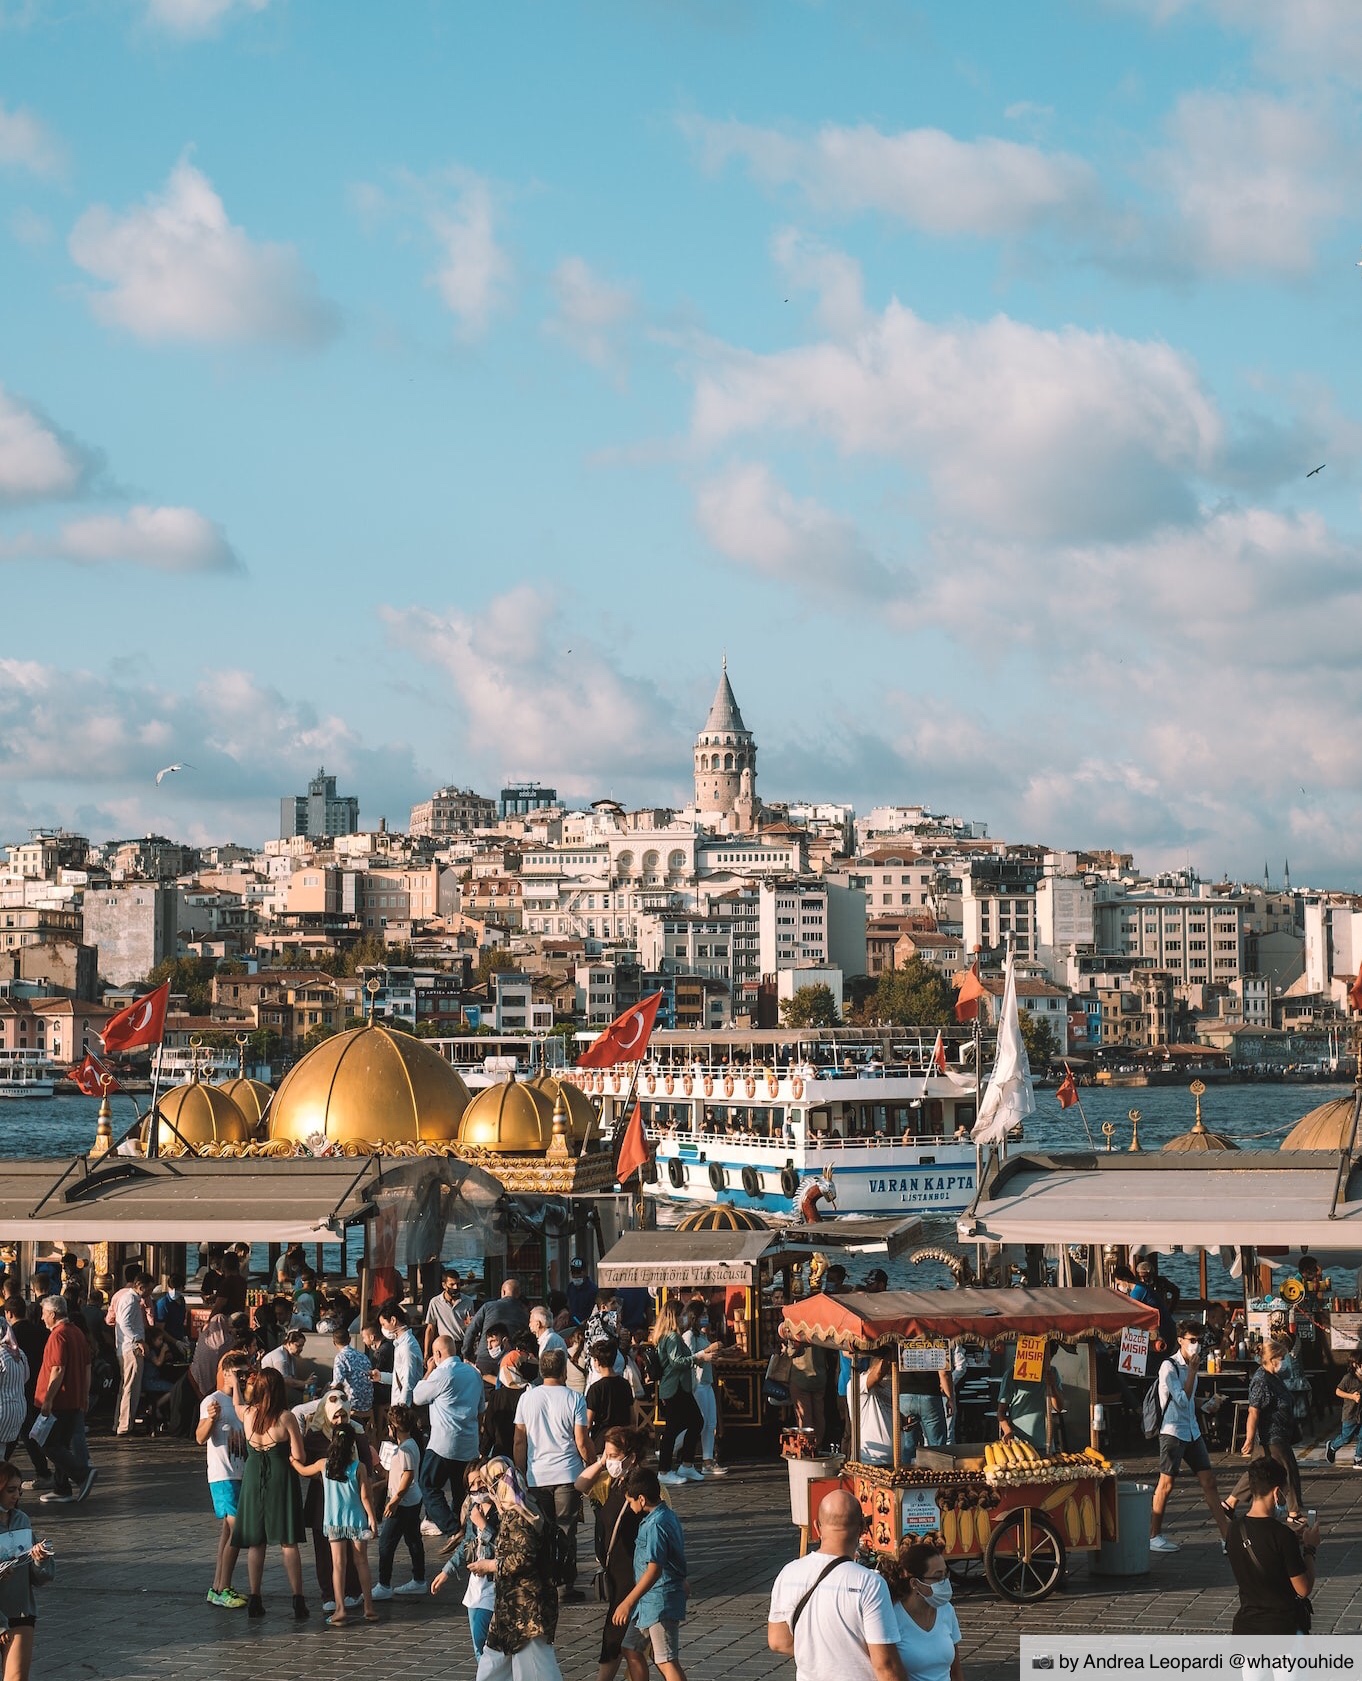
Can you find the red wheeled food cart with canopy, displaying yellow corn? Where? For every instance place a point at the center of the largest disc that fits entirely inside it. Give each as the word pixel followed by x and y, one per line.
pixel 1015 1509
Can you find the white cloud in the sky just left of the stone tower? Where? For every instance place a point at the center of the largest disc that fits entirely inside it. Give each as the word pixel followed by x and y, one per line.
pixel 539 702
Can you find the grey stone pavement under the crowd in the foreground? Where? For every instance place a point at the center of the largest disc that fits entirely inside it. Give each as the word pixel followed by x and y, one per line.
pixel 135 1561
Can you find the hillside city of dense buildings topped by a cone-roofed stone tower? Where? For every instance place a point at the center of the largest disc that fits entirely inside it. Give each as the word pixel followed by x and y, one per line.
pixel 519 914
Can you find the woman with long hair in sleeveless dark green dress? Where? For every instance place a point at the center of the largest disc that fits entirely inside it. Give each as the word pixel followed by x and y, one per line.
pixel 270 1512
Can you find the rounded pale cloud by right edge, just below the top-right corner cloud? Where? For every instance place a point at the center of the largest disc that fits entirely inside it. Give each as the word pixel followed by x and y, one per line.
pixel 1254 182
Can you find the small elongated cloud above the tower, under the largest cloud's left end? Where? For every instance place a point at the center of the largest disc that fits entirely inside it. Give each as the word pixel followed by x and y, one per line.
pixel 751 519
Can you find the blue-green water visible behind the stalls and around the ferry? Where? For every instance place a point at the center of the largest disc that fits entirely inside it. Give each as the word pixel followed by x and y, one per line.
pixel 1255 1117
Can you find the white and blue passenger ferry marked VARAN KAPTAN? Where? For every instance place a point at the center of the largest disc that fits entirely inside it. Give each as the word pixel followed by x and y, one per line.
pixel 763 1117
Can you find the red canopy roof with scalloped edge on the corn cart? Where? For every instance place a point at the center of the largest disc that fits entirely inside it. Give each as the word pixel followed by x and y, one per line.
pixel 870 1319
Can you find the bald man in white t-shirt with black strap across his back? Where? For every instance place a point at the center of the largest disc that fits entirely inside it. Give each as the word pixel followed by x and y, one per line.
pixel 833 1616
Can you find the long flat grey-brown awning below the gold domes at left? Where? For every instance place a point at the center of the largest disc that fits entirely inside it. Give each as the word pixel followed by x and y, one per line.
pixel 191 1199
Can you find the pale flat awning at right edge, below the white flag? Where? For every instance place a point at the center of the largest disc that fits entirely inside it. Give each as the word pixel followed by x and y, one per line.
pixel 1233 1199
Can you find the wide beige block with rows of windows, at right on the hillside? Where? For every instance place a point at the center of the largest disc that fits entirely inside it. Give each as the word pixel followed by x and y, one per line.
pixel 1193 935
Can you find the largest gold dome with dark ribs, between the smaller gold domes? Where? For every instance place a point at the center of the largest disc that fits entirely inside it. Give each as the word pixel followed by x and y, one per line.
pixel 371 1085
